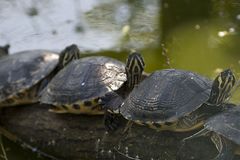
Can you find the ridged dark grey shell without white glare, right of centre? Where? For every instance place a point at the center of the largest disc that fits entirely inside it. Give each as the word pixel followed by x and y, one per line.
pixel 165 96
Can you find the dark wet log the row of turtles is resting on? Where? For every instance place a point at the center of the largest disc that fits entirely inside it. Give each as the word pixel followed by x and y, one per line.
pixel 72 137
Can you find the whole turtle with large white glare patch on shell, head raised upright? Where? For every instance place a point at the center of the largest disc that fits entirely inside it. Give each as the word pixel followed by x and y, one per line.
pixel 79 86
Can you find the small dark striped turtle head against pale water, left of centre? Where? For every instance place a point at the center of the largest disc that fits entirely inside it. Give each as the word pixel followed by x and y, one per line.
pixel 69 54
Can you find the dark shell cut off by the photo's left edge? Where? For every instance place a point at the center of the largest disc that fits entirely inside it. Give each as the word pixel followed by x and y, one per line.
pixel 21 71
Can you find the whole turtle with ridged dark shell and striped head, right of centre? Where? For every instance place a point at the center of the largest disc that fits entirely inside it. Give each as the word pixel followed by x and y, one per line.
pixel 174 100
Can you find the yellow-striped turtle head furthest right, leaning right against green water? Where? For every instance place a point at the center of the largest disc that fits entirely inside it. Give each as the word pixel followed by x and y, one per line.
pixel 221 87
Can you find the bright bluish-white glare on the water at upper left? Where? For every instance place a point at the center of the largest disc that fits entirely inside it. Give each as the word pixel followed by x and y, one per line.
pixel 52 28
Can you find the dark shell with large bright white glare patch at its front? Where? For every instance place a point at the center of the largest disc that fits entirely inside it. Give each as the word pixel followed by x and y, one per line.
pixel 84 80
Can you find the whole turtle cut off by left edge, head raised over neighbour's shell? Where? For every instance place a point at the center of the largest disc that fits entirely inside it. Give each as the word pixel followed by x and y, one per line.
pixel 23 75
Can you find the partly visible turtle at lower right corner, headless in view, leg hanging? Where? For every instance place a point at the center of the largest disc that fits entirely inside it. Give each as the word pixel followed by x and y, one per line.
pixel 224 131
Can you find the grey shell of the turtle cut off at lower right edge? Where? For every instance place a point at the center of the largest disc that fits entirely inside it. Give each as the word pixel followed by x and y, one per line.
pixel 226 124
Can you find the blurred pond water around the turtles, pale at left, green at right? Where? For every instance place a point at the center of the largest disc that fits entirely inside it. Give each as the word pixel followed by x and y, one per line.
pixel 201 36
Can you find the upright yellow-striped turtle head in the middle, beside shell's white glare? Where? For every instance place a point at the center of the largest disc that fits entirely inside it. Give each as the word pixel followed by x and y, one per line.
pixel 134 68
